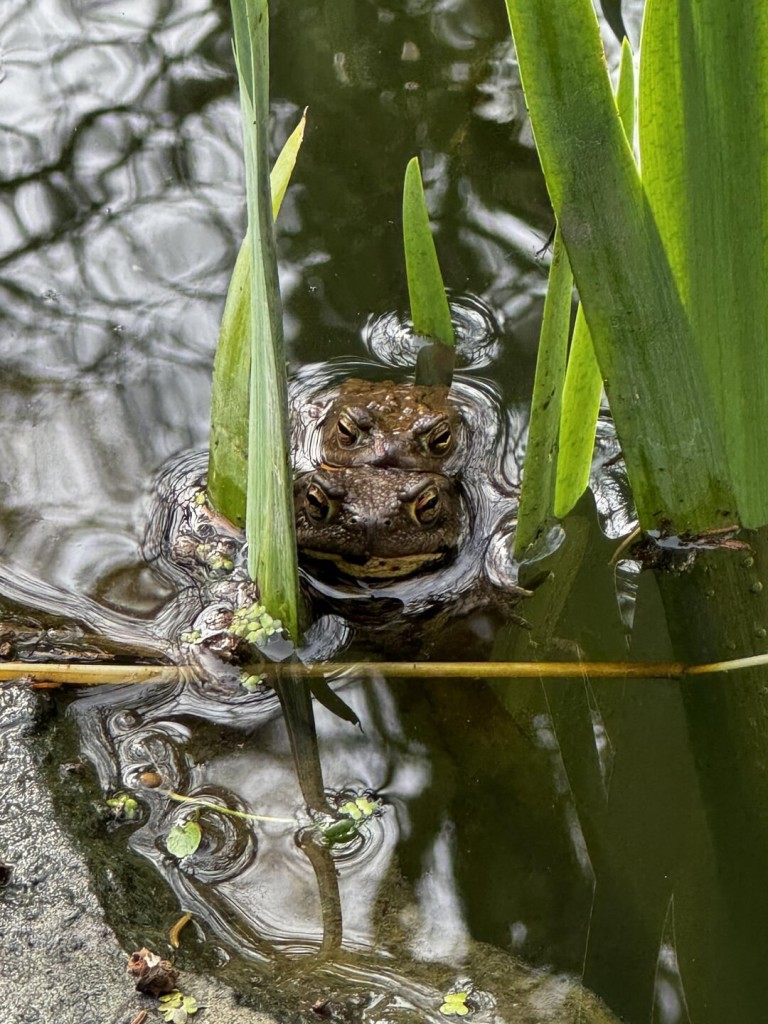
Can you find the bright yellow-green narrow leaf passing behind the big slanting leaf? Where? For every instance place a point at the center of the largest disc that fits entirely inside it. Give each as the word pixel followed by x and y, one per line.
pixel 584 383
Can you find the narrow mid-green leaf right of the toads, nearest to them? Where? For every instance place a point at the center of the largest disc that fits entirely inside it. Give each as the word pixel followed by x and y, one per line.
pixel 537 496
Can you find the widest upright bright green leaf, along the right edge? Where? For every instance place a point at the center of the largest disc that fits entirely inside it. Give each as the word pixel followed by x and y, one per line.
pixel 704 146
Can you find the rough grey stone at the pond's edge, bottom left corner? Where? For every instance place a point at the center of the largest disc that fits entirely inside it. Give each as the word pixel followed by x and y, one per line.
pixel 63 962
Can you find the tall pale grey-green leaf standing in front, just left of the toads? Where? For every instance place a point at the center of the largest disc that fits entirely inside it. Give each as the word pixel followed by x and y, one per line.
pixel 270 517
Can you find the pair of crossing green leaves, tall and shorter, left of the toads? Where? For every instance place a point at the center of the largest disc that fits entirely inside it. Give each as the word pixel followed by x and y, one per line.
pixel 253 324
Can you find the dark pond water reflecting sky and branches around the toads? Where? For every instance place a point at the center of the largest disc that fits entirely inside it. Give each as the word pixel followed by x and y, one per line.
pixel 529 823
